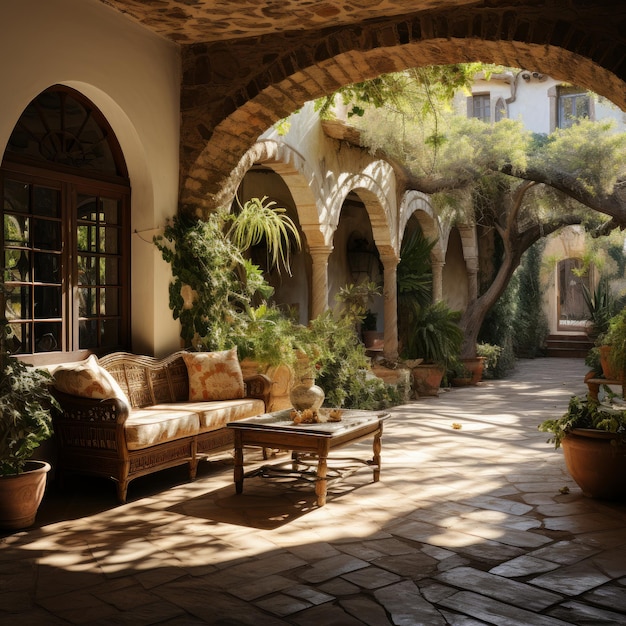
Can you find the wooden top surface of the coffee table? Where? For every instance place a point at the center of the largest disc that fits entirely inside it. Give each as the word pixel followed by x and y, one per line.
pixel 280 421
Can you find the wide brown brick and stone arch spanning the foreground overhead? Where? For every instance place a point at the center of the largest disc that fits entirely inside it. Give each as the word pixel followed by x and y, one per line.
pixel 271 76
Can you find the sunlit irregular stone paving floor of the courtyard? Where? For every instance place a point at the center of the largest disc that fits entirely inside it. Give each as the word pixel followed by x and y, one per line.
pixel 467 526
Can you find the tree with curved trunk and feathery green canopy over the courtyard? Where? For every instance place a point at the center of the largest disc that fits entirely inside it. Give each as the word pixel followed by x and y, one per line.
pixel 516 185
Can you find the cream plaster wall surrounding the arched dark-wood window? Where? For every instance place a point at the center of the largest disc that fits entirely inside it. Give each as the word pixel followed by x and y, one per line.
pixel 134 78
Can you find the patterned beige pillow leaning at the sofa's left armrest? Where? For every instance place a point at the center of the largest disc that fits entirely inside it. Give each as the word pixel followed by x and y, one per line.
pixel 88 380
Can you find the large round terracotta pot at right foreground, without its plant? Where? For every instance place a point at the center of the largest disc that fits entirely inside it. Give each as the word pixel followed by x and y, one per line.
pixel 597 465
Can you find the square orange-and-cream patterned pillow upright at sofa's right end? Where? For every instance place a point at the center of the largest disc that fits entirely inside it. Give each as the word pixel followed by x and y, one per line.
pixel 214 375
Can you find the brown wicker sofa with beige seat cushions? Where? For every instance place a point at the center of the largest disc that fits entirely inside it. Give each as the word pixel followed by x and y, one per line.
pixel 148 421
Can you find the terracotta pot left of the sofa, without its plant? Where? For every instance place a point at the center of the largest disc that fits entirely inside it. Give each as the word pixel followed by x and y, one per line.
pixel 21 495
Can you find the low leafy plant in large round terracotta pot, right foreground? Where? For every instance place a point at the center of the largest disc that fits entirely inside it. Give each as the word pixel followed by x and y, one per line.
pixel 593 437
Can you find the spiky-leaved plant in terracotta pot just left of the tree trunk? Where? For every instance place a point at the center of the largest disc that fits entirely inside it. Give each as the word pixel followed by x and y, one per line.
pixel 436 338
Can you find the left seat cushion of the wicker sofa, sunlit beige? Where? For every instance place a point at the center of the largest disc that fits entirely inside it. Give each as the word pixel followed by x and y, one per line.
pixel 159 424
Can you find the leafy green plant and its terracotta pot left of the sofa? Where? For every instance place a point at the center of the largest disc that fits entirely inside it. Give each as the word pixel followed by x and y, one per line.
pixel 26 407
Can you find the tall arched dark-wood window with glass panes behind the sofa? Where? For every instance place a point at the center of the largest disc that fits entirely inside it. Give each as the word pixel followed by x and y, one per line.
pixel 65 201
